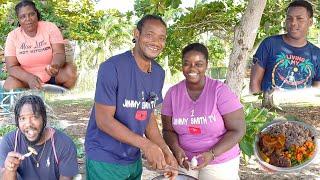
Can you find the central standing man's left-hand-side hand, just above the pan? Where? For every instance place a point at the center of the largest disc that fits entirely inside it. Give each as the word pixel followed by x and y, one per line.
pixel 154 155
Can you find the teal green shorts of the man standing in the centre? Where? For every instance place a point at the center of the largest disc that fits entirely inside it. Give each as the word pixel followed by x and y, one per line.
pixel 100 171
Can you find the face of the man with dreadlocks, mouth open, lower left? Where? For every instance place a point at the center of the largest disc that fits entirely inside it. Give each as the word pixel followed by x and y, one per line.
pixel 30 124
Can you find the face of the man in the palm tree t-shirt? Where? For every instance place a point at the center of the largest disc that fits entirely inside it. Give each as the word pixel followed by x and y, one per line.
pixel 297 23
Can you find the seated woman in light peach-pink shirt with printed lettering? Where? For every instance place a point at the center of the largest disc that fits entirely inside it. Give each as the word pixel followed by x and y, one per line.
pixel 35 54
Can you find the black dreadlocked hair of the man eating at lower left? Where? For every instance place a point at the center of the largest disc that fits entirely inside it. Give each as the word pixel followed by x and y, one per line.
pixel 37 104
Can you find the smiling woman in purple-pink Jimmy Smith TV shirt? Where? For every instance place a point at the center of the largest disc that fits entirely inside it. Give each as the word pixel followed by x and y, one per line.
pixel 202 118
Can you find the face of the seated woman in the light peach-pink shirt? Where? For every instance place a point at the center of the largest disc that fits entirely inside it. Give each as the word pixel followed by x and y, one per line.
pixel 28 19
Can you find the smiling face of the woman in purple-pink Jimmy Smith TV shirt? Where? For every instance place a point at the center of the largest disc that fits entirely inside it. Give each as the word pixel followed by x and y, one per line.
pixel 194 66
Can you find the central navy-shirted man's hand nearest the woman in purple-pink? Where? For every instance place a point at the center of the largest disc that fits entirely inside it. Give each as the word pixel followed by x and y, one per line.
pixel 172 173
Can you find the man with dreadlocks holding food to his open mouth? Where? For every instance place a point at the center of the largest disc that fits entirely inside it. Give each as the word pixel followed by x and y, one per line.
pixel 55 156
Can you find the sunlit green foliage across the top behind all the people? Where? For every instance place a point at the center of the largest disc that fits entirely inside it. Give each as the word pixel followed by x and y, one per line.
pixel 98 33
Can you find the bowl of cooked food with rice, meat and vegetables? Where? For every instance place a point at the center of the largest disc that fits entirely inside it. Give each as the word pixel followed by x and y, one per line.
pixel 286 144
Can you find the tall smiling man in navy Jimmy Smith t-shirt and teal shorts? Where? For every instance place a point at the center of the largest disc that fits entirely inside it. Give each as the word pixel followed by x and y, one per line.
pixel 128 89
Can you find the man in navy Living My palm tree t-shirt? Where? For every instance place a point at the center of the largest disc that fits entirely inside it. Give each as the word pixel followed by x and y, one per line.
pixel 287 61
